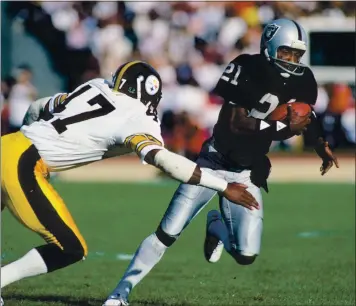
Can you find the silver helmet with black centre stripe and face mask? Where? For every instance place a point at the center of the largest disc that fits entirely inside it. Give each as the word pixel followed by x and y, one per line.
pixel 285 33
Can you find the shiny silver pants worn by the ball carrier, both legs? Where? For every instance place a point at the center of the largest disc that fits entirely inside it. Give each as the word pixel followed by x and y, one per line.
pixel 244 225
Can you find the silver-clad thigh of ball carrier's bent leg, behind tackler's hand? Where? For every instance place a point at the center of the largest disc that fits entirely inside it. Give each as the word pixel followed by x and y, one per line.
pixel 244 225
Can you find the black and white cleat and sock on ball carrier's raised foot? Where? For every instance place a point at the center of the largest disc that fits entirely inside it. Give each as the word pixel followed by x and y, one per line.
pixel 213 246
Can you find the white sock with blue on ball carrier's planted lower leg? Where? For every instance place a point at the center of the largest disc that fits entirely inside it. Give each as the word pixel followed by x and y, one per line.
pixel 146 257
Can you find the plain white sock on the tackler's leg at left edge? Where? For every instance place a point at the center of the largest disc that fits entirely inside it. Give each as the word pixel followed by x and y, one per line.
pixel 30 264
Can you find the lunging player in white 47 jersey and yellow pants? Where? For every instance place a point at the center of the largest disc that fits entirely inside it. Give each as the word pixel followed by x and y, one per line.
pixel 99 119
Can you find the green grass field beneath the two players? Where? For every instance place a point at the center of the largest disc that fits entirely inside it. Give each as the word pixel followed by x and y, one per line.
pixel 307 256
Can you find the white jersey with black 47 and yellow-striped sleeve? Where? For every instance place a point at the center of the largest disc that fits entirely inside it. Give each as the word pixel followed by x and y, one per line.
pixel 93 123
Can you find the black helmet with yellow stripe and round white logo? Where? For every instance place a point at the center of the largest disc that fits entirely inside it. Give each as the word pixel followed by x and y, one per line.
pixel 138 80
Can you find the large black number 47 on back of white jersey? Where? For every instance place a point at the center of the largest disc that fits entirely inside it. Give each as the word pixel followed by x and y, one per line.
pixel 105 108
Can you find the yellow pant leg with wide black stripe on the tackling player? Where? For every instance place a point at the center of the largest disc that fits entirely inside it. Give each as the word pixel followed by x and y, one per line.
pixel 31 198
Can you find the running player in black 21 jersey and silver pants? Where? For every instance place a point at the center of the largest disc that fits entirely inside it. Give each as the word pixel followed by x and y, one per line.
pixel 252 86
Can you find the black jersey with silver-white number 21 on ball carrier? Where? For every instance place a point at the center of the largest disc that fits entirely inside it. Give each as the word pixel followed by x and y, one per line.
pixel 252 82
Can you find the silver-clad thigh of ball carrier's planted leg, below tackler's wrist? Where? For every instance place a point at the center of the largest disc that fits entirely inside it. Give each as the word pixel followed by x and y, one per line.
pixel 187 202
